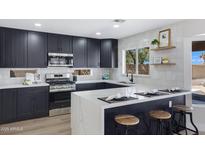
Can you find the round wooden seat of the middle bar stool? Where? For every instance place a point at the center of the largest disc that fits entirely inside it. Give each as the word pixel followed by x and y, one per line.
pixel 160 114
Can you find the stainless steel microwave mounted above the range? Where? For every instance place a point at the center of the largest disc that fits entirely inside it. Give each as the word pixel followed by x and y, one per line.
pixel 60 60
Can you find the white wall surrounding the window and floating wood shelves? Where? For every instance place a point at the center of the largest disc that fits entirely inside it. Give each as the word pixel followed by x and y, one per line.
pixel 164 76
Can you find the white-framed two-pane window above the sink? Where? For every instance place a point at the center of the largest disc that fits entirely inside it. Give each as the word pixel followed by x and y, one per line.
pixel 136 61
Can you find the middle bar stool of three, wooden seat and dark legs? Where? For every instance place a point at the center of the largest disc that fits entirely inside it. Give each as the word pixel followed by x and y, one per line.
pixel 162 117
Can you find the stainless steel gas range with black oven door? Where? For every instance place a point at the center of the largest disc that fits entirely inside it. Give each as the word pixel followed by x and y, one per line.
pixel 60 93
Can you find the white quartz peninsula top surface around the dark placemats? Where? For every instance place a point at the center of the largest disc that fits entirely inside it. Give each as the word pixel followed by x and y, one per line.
pixel 93 95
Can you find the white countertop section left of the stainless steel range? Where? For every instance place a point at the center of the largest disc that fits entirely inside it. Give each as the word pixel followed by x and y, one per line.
pixel 20 85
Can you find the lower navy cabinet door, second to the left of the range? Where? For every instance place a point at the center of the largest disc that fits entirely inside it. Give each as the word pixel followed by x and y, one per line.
pixel 24 104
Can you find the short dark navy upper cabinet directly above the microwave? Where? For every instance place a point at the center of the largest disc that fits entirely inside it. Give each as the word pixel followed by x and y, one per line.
pixel 59 43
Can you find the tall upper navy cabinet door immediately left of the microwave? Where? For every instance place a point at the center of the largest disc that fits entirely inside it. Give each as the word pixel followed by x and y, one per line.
pixel 37 49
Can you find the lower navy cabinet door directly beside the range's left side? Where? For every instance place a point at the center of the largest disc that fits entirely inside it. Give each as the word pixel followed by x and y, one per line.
pixel 40 101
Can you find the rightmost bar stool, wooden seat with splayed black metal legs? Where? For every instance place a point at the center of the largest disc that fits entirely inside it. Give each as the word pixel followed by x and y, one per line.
pixel 184 110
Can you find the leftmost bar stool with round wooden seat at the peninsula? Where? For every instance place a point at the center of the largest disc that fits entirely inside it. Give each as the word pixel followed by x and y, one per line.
pixel 127 120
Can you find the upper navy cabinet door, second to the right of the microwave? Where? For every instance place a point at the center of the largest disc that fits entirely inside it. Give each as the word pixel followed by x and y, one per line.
pixel 93 53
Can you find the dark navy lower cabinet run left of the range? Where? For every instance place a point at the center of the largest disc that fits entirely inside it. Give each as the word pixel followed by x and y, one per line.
pixel 23 103
